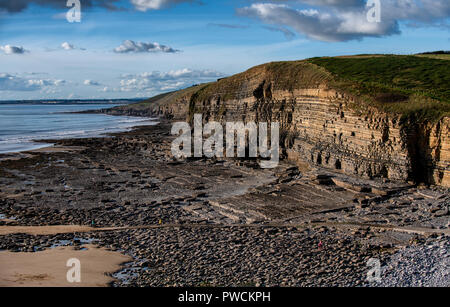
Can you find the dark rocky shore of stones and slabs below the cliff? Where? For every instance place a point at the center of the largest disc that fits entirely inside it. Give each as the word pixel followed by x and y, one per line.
pixel 204 222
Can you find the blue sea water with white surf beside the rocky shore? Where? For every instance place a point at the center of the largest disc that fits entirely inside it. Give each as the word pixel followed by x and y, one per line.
pixel 20 124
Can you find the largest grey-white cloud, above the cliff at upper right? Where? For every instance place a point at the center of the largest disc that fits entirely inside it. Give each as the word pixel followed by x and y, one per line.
pixel 333 20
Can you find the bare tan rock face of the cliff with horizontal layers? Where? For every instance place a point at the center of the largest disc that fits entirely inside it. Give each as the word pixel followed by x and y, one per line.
pixel 321 127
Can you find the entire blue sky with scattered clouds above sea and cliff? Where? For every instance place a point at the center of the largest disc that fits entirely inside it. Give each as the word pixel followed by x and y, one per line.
pixel 140 48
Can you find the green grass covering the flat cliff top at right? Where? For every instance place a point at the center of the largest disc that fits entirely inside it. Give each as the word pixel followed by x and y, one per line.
pixel 415 86
